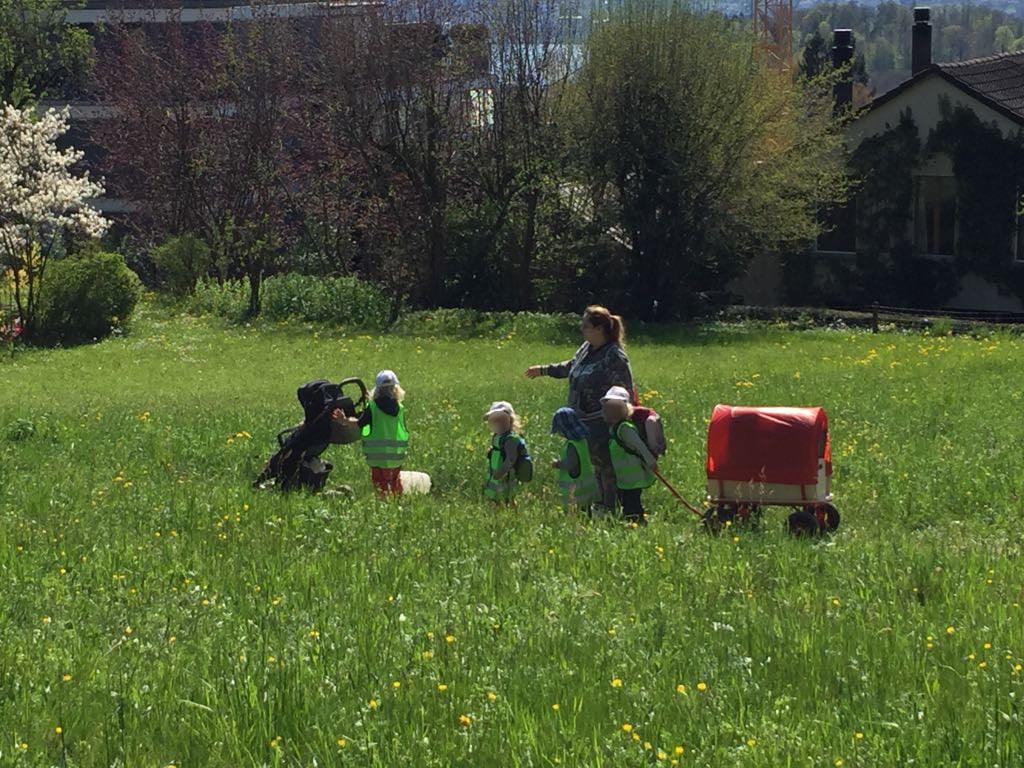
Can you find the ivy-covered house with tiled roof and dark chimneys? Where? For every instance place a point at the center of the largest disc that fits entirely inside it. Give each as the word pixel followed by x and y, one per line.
pixel 938 218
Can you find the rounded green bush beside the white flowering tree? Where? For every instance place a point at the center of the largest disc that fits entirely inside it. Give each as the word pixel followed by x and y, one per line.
pixel 86 297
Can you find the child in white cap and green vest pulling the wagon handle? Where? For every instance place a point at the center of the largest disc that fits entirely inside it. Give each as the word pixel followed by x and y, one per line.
pixel 632 460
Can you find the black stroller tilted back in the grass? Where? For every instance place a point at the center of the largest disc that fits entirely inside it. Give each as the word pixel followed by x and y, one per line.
pixel 297 463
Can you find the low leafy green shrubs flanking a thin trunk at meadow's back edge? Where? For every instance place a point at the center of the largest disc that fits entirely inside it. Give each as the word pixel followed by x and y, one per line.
pixel 347 302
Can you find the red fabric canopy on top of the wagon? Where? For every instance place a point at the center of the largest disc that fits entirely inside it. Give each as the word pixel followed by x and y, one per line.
pixel 769 445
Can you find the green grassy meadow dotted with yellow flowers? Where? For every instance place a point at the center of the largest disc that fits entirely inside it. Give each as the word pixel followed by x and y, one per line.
pixel 155 611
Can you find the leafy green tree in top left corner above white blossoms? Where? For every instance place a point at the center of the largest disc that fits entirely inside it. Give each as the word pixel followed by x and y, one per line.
pixel 41 56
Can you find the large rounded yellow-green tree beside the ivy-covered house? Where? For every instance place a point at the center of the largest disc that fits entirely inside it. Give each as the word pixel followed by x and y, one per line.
pixel 705 157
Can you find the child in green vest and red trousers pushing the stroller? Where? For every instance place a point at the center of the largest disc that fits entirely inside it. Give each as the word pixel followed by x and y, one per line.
pixel 386 437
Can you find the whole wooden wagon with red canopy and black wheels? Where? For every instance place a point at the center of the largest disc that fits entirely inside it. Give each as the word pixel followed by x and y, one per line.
pixel 760 457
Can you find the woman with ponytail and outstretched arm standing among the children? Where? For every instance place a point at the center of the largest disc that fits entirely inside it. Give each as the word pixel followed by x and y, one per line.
pixel 599 365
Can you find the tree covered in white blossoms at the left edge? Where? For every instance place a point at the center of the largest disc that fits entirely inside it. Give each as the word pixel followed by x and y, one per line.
pixel 41 199
